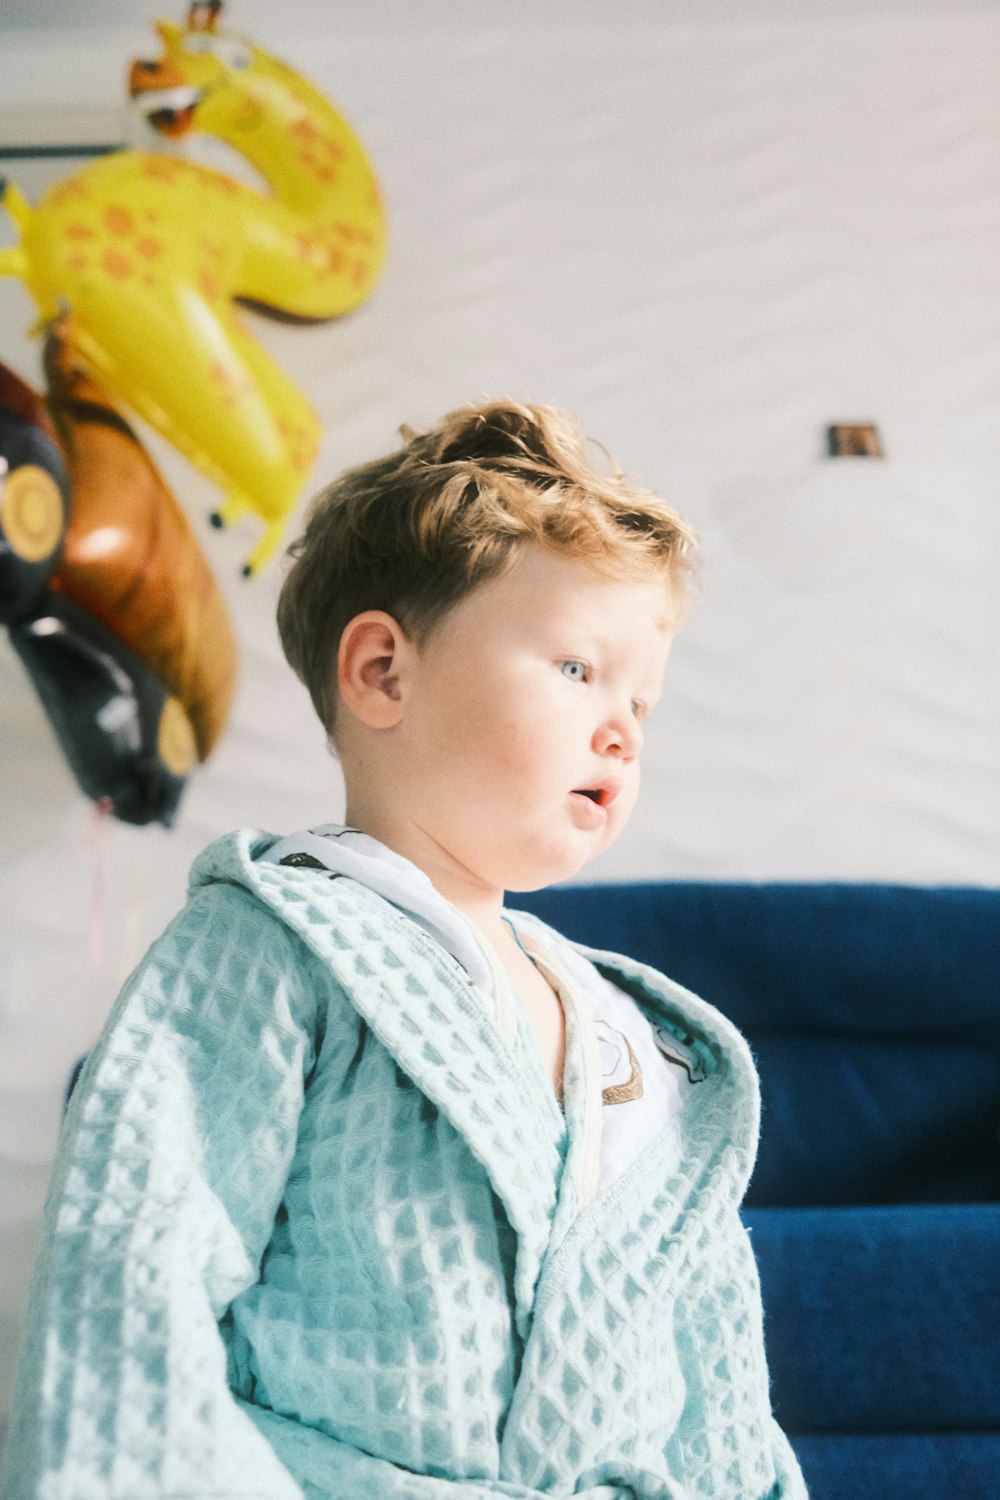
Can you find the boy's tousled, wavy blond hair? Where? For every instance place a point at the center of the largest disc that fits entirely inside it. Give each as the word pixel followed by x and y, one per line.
pixel 419 530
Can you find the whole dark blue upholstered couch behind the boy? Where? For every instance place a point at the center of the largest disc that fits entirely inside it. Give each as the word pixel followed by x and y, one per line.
pixel 875 1211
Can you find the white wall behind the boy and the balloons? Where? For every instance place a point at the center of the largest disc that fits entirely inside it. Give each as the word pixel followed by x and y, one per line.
pixel 708 238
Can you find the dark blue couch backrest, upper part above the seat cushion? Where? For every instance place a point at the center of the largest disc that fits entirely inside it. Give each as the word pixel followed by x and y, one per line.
pixel 873 1012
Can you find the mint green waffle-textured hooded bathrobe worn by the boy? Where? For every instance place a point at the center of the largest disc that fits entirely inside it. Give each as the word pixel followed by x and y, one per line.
pixel 316 1231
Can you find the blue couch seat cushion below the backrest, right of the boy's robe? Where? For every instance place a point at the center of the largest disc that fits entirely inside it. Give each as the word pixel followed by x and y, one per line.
pixel 882 1321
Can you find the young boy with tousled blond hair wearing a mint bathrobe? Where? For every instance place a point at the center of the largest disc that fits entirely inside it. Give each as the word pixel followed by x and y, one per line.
pixel 374 1189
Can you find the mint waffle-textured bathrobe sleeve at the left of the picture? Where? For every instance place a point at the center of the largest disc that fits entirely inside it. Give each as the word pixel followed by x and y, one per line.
pixel 172 1168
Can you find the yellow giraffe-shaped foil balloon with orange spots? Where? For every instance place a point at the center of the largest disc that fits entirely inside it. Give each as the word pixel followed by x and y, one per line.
pixel 149 254
